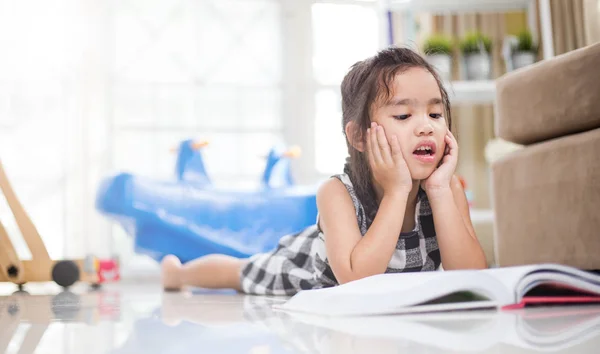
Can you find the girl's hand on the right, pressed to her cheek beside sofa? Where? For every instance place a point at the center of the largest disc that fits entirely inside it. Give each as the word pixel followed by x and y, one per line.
pixel 440 179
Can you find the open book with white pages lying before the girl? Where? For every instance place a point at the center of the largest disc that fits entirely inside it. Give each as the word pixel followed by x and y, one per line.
pixel 499 288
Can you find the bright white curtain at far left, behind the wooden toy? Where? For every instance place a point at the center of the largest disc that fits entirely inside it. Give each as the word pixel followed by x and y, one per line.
pixel 52 119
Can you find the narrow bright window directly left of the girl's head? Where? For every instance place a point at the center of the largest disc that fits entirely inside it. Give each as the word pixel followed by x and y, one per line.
pixel 342 35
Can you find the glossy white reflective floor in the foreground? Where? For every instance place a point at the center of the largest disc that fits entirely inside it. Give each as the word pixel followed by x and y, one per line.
pixel 142 319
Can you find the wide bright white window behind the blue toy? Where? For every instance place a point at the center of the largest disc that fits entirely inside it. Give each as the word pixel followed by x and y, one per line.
pixel 194 69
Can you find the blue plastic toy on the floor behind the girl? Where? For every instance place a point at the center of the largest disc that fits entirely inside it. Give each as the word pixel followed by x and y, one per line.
pixel 189 217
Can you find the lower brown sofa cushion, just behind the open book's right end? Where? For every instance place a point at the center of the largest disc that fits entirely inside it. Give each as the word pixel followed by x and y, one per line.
pixel 546 200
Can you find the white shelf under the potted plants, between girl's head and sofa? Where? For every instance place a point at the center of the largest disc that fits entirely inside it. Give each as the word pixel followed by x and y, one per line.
pixel 471 91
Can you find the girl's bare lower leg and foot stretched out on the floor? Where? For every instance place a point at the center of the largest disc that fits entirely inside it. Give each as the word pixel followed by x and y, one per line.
pixel 215 271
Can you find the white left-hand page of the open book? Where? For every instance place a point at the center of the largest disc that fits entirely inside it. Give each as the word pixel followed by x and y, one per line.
pixel 389 293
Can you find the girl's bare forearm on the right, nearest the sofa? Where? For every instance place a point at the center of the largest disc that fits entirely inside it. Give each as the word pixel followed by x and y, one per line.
pixel 459 246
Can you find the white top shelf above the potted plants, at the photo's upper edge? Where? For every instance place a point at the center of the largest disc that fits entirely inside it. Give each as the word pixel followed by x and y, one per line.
pixel 445 6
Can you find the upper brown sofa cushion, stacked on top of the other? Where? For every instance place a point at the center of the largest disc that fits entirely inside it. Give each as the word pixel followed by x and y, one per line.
pixel 551 98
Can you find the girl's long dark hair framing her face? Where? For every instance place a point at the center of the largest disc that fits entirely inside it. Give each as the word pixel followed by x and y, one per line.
pixel 367 83
